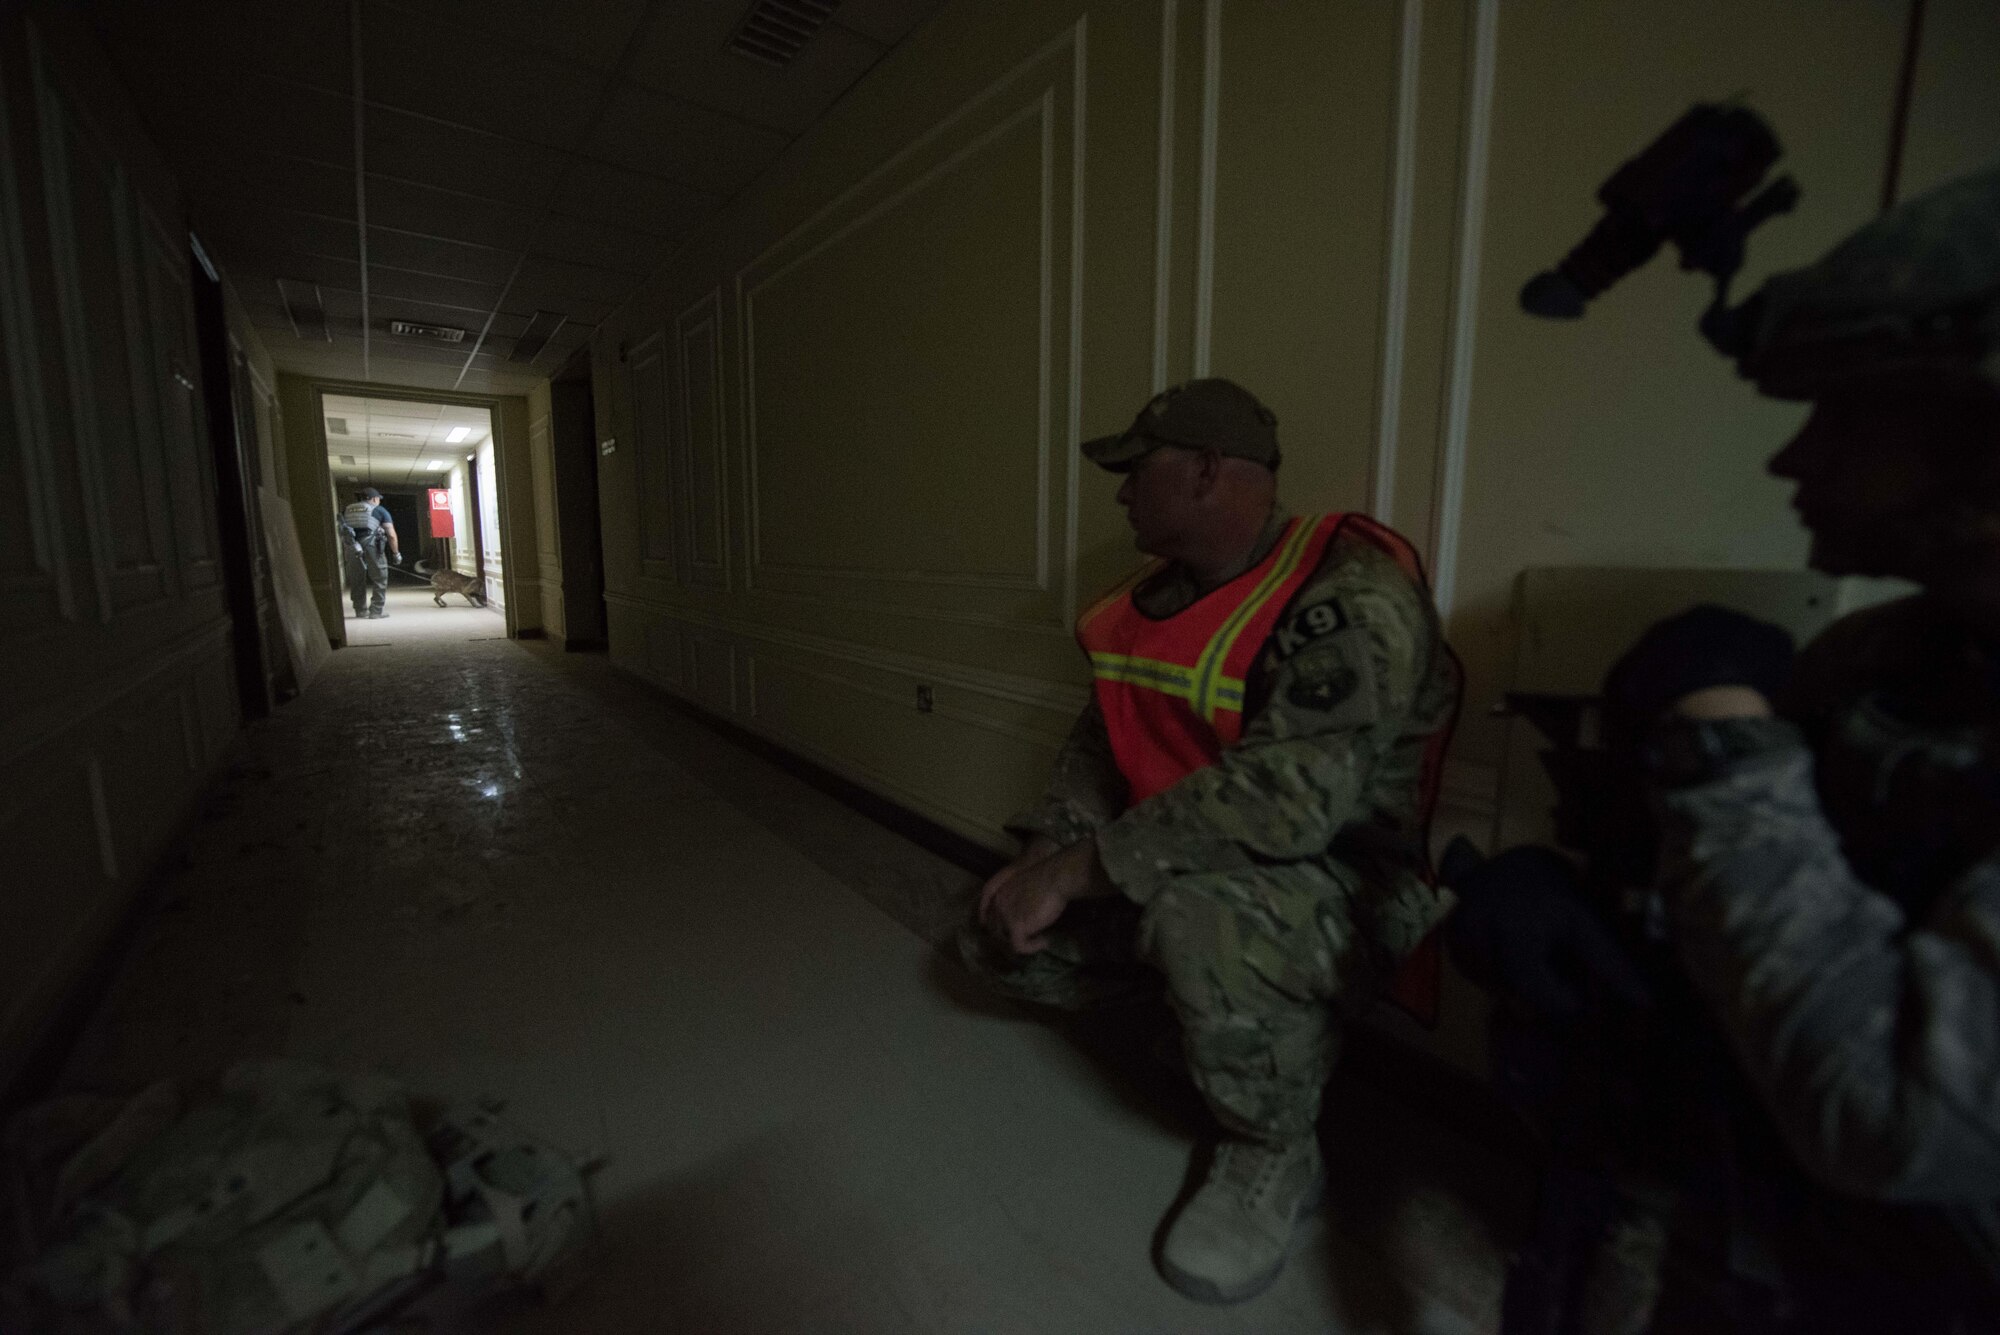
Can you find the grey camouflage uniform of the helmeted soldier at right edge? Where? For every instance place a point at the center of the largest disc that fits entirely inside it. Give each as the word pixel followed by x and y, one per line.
pixel 1835 892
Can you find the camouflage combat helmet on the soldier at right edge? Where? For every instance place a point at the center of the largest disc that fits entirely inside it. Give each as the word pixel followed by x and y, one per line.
pixel 1915 291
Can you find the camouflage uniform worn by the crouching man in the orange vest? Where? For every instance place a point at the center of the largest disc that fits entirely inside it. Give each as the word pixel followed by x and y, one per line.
pixel 1281 882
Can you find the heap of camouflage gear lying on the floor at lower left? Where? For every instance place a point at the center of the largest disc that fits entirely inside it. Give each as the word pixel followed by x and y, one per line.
pixel 279 1198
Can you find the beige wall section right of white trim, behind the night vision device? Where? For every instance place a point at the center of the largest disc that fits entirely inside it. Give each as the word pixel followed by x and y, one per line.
pixel 1621 439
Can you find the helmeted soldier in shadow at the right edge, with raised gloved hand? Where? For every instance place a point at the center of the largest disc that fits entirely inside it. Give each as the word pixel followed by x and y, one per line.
pixel 1831 842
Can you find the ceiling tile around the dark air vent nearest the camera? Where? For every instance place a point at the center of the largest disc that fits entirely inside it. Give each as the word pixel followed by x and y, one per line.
pixel 787 99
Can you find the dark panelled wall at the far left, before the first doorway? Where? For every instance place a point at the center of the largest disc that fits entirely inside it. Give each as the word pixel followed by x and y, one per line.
pixel 117 684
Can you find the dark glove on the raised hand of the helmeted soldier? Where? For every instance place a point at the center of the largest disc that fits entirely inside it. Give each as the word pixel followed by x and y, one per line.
pixel 1691 653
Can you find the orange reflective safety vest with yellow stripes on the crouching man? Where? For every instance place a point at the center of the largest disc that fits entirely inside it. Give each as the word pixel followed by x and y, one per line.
pixel 1173 688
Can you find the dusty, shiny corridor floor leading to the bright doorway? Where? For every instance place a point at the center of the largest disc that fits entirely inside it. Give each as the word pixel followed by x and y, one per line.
pixel 501 870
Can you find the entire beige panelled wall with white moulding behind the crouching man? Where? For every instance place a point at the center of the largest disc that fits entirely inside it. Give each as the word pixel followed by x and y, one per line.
pixel 845 419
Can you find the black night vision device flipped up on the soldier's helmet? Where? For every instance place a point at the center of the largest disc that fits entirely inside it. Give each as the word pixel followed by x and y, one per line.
pixel 1689 187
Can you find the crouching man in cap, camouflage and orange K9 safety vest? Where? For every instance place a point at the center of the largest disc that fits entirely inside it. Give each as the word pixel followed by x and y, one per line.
pixel 1239 818
